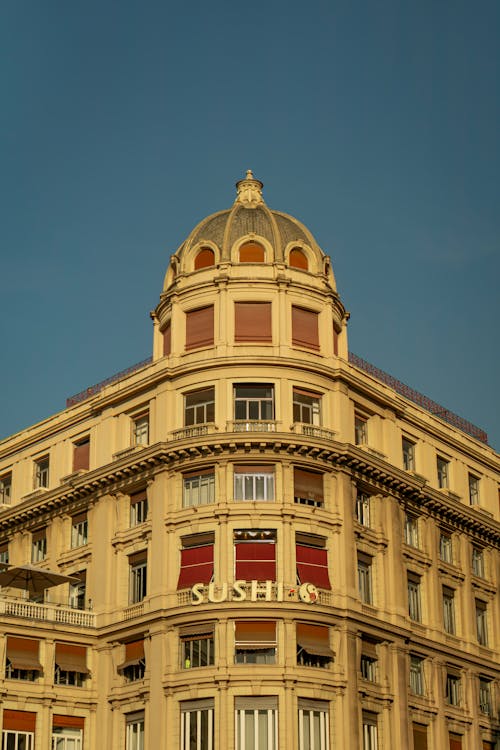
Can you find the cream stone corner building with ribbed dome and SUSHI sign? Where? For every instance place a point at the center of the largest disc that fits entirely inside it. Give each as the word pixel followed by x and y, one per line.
pixel 256 540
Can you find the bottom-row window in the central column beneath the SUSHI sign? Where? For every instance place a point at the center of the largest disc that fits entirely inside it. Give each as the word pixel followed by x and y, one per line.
pixel 256 723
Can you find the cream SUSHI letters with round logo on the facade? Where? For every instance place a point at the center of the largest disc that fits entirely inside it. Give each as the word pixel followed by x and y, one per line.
pixel 253 591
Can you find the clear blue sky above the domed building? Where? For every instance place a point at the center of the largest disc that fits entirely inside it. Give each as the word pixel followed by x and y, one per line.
pixel 125 123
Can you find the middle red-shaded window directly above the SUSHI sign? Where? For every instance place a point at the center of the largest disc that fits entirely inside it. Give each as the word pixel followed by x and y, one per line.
pixel 255 554
